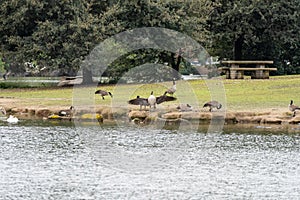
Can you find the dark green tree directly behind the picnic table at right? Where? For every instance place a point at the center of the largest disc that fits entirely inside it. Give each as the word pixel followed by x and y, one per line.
pixel 256 30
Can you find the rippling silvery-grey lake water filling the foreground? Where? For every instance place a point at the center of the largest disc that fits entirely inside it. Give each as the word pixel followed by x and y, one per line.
pixel 43 160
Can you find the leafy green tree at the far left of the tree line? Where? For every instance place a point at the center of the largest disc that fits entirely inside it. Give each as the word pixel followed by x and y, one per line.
pixel 54 34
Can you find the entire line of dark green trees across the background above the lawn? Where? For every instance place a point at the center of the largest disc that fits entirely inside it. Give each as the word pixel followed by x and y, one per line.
pixel 55 36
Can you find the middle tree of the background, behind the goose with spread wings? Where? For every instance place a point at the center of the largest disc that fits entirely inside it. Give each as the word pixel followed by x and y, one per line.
pixel 187 17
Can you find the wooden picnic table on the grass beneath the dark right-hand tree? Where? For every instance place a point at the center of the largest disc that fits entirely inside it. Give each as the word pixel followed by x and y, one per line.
pixel 234 71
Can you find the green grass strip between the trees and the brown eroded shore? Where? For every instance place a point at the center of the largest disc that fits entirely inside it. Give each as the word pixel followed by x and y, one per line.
pixel 241 95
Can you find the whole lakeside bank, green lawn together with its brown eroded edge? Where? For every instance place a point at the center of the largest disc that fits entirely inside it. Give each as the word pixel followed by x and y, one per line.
pixel 247 102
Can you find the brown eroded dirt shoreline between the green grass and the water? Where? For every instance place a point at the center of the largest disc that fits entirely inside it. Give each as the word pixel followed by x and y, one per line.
pixel 171 115
